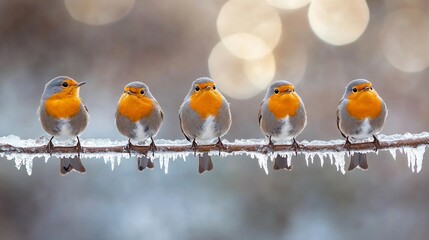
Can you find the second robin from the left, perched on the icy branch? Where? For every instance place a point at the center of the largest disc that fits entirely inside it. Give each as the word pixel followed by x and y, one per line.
pixel 139 117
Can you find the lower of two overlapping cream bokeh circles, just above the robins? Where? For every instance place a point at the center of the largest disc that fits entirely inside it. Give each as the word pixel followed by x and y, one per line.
pixel 240 78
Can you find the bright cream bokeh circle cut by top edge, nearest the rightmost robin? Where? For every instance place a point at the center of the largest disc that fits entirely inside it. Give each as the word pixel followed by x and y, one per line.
pixel 338 22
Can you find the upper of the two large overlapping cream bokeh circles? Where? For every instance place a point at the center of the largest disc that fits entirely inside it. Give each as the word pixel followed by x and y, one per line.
pixel 247 18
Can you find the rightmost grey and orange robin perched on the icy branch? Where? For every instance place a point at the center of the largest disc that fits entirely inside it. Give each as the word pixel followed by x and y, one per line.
pixel 360 115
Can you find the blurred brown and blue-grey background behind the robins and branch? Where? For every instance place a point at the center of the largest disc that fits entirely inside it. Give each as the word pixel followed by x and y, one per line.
pixel 243 45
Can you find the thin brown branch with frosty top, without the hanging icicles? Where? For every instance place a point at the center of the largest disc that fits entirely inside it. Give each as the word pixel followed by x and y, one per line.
pixel 258 146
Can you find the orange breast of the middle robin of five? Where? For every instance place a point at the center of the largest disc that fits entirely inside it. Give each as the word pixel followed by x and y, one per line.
pixel 206 103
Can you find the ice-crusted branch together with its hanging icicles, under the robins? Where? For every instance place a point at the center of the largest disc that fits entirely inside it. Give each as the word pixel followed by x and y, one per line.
pixel 24 151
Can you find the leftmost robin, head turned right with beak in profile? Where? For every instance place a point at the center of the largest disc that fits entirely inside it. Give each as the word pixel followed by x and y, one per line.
pixel 64 115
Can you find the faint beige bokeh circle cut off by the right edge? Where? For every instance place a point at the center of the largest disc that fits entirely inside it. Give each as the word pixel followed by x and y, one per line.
pixel 404 39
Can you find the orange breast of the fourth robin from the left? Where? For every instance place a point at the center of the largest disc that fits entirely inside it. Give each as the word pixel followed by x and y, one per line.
pixel 283 105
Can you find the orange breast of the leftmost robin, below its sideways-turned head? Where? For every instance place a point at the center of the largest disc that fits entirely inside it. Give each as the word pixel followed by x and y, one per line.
pixel 59 107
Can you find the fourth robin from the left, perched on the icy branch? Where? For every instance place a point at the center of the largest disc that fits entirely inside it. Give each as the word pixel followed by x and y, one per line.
pixel 282 117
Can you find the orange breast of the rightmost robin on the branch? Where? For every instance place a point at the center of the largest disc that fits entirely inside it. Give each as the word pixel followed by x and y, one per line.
pixel 365 105
